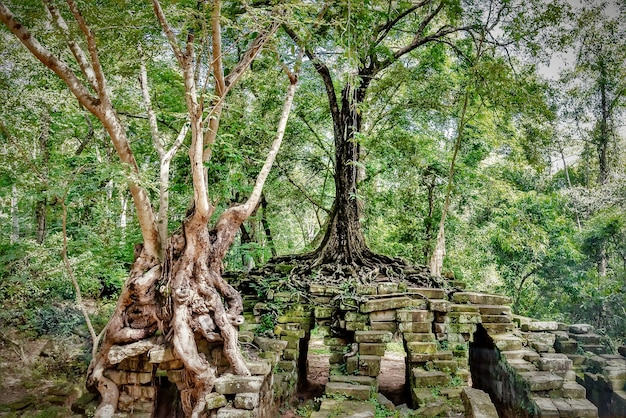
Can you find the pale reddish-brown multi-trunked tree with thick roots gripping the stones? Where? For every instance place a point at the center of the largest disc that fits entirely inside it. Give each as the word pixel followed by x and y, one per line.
pixel 175 288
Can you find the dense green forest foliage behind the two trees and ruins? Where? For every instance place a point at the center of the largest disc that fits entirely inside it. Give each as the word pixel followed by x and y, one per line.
pixel 518 133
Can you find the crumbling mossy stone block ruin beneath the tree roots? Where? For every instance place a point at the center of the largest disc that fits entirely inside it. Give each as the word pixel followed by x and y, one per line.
pixel 466 354
